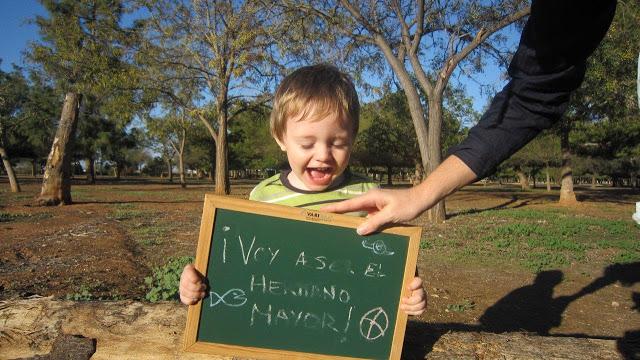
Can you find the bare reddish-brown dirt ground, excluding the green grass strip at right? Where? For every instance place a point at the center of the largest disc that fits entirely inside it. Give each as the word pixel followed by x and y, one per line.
pixel 104 245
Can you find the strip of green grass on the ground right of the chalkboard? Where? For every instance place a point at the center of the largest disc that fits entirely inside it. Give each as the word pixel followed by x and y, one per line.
pixel 536 239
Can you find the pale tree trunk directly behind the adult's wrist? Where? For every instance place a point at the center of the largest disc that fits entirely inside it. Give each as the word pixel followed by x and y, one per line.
pixel 438 212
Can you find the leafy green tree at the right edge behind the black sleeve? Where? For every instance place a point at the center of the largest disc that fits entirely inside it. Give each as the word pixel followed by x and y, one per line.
pixel 604 108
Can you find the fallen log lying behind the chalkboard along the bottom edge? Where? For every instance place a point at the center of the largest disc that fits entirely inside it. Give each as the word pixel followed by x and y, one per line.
pixel 29 328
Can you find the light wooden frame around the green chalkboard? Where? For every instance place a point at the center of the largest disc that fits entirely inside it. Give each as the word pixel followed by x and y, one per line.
pixel 213 202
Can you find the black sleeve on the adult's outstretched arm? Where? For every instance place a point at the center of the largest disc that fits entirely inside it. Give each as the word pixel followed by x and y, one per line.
pixel 548 65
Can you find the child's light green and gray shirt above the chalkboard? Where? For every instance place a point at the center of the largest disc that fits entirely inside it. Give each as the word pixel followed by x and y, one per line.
pixel 278 190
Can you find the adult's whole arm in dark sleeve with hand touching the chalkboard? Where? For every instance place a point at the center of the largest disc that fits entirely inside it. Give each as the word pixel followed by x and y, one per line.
pixel 547 67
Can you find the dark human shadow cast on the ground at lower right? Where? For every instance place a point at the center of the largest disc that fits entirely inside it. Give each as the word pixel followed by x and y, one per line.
pixel 531 308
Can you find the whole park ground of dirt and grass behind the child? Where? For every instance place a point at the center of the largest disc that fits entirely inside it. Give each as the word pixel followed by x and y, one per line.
pixel 504 260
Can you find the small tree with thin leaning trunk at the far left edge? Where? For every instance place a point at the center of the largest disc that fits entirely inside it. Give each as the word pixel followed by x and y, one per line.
pixel 13 94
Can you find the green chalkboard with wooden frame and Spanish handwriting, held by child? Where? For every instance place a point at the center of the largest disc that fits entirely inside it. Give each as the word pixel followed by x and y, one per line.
pixel 286 282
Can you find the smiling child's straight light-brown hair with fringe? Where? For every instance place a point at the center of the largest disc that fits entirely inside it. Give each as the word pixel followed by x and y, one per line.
pixel 318 90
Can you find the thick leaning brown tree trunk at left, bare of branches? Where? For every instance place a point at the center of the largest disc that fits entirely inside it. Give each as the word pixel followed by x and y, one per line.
pixel 56 181
